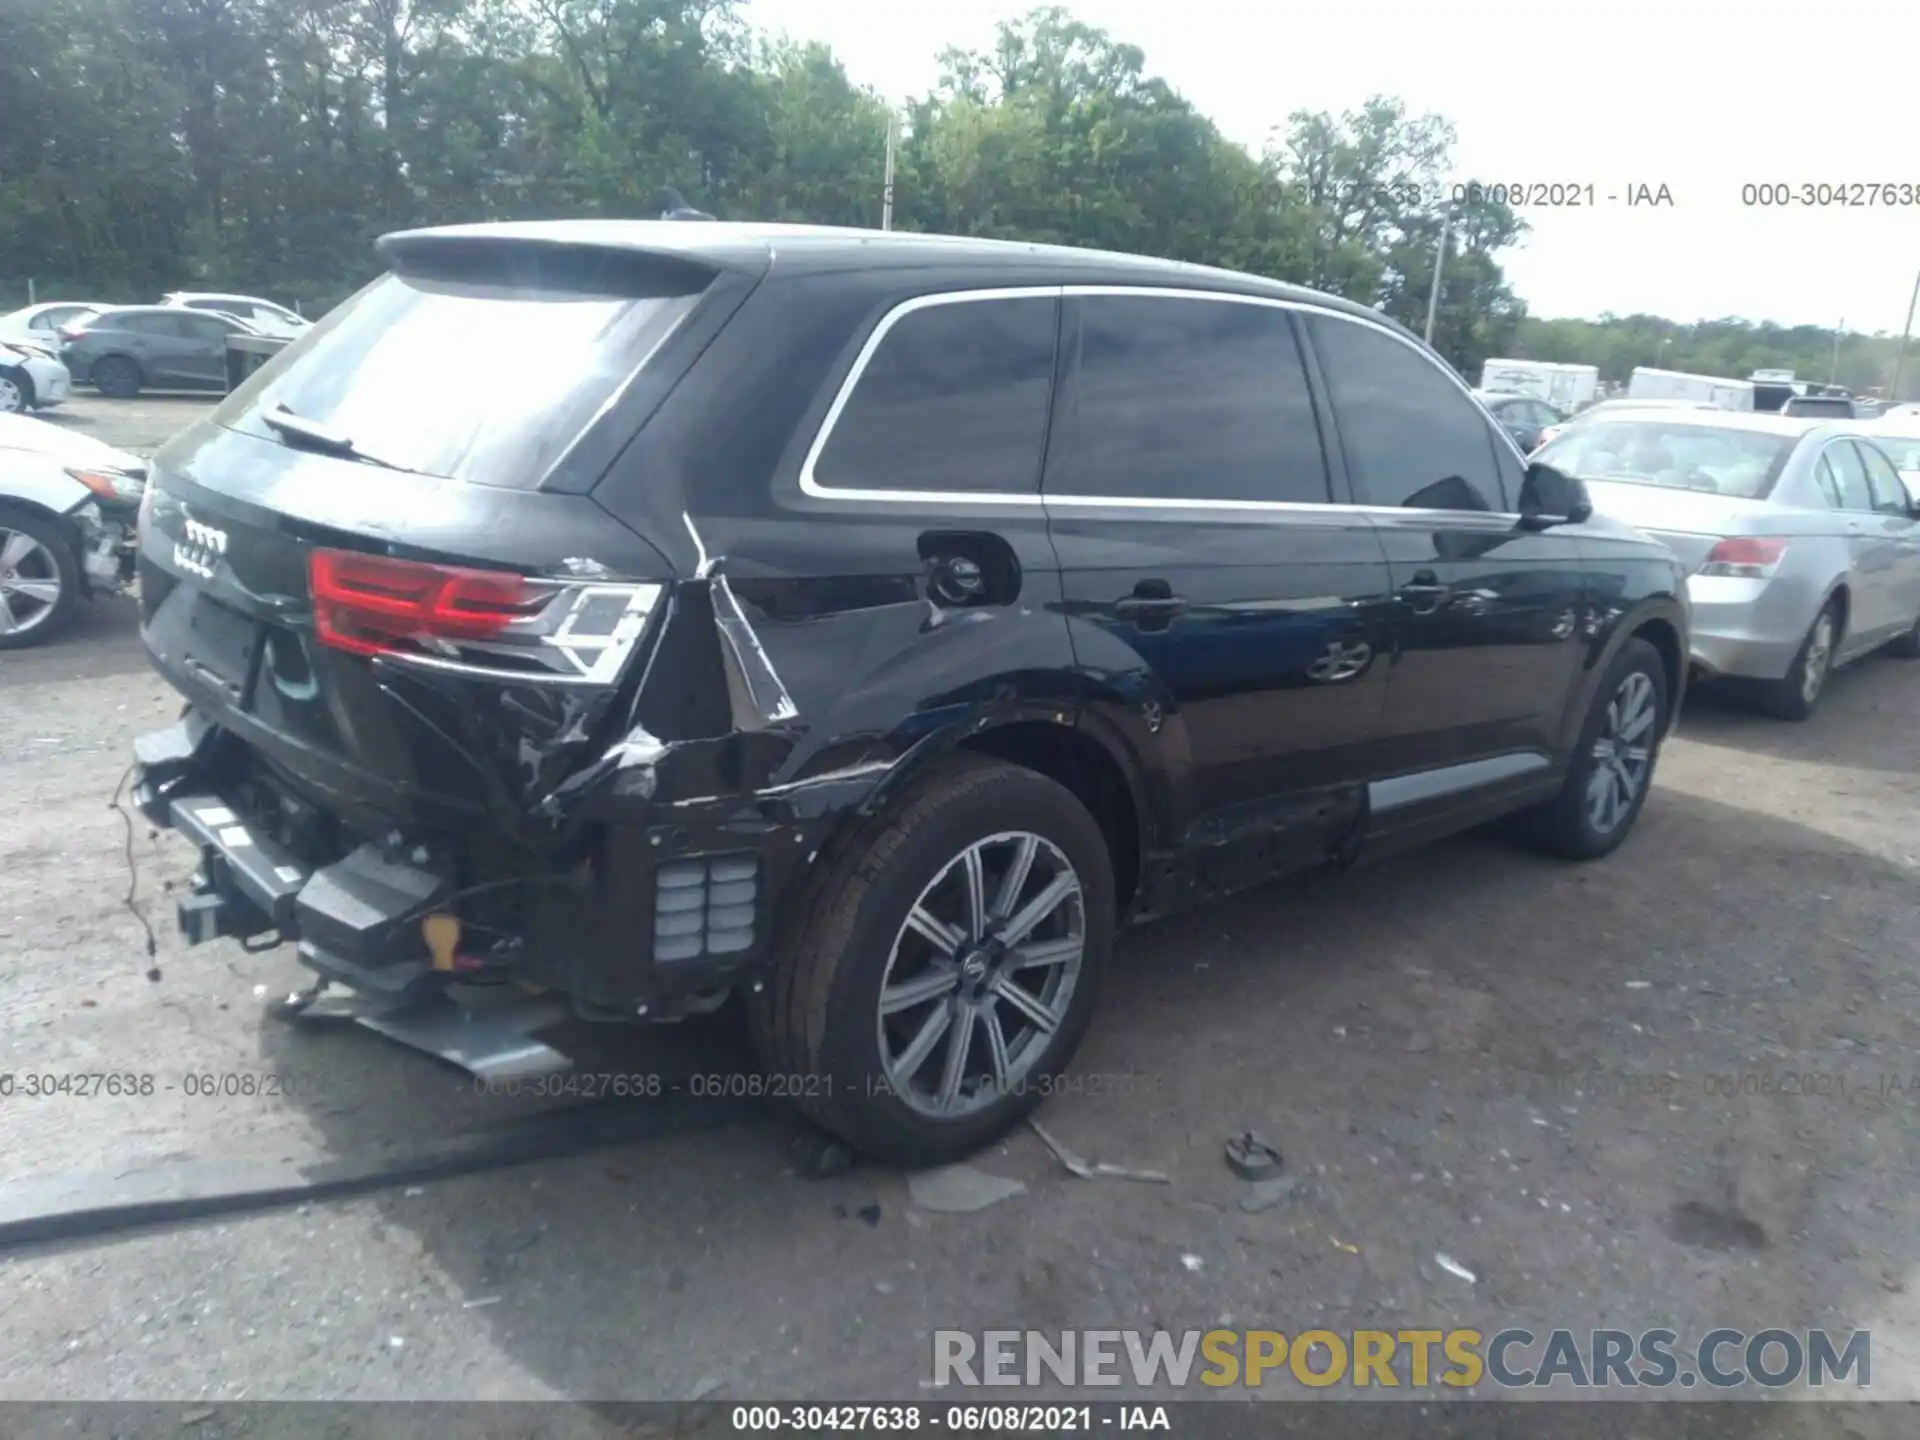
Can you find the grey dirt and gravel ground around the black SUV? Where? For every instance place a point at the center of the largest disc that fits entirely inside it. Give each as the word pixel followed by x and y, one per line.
pixel 1397 1032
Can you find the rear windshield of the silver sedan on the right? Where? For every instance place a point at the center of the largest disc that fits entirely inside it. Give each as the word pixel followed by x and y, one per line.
pixel 1673 456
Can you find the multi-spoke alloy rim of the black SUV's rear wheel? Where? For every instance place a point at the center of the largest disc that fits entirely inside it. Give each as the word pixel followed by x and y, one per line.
pixel 982 974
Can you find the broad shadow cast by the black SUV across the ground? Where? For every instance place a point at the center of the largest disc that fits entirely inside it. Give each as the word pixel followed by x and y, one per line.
pixel 1575 1080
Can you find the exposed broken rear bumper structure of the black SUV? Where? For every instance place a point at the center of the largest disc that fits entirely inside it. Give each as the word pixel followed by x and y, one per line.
pixel 654 921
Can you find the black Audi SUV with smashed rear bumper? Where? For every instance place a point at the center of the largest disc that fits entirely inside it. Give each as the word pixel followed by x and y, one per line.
pixel 859 623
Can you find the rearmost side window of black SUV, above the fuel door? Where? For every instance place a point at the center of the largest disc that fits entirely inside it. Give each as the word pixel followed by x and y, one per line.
pixel 953 400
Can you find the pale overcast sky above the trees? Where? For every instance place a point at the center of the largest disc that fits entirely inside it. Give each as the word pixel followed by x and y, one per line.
pixel 1696 95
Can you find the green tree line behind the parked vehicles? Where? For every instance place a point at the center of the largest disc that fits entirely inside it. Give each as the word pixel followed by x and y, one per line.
pixel 264 145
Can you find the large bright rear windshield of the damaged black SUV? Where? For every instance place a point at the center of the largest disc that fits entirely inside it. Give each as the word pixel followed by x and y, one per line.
pixel 471 379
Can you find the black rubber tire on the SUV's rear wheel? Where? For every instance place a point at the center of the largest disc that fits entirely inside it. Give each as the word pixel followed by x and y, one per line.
pixel 817 1022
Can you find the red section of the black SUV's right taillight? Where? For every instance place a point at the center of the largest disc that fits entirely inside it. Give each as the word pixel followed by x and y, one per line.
pixel 373 604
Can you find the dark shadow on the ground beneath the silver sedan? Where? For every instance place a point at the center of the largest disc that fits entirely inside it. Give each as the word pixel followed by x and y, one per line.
pixel 1867 706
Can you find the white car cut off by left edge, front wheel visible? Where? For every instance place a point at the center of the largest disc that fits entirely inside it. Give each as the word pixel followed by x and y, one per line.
pixel 68 508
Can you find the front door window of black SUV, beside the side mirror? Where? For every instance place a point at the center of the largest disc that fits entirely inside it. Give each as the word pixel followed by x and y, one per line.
pixel 1410 435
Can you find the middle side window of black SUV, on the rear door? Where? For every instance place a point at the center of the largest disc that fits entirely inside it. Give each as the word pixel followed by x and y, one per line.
pixel 1188 400
